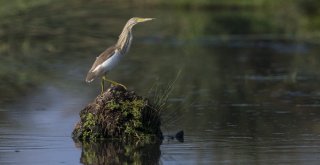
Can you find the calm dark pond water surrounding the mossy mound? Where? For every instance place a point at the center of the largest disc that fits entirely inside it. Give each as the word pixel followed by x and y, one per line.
pixel 239 99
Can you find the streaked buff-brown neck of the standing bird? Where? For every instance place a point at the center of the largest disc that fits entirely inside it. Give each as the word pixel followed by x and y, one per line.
pixel 124 41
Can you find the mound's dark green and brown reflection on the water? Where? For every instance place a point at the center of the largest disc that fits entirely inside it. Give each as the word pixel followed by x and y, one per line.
pixel 104 152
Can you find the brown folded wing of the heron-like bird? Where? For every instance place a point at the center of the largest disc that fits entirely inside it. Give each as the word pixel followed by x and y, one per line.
pixel 99 60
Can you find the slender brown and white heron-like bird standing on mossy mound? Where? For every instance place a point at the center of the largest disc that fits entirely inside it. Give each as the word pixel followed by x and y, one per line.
pixel 108 59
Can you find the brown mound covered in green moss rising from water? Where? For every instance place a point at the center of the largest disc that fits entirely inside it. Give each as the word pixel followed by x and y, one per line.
pixel 119 115
